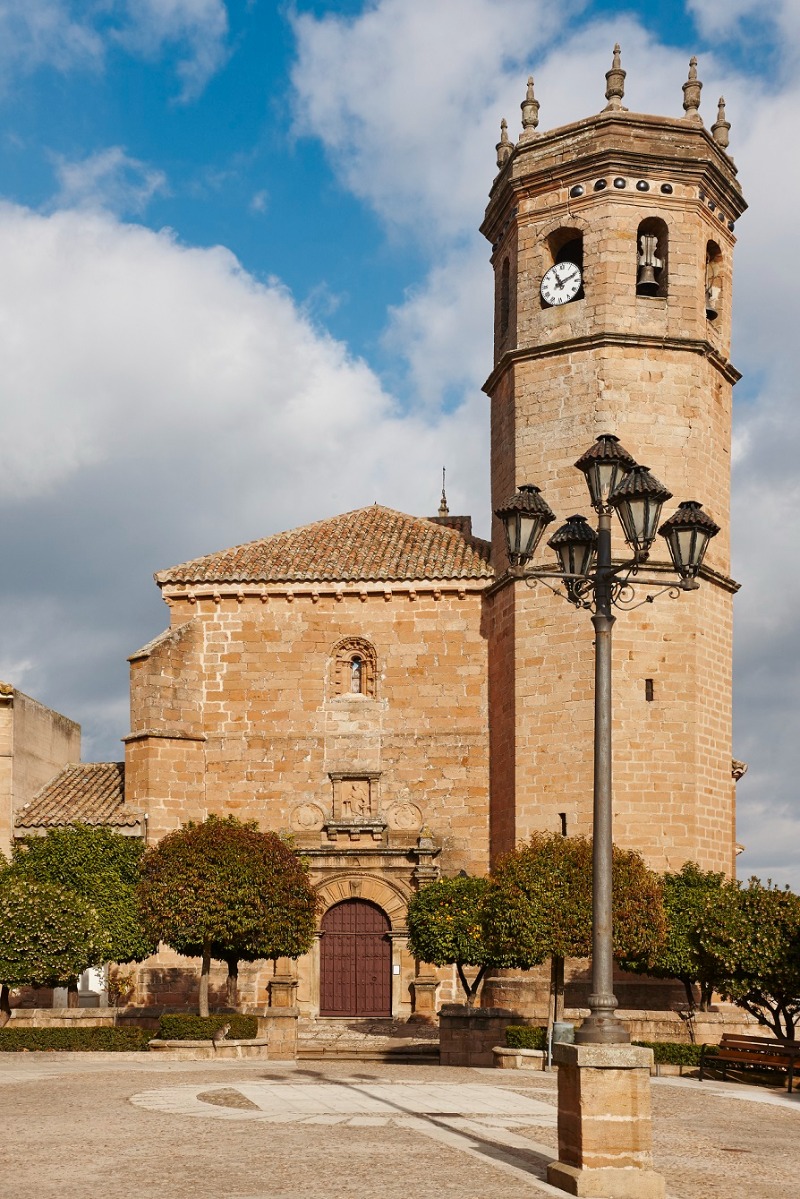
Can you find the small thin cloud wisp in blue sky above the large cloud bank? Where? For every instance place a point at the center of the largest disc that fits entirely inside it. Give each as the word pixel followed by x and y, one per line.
pixel 109 179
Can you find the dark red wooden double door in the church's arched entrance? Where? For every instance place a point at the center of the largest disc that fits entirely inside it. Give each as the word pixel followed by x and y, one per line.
pixel 356 961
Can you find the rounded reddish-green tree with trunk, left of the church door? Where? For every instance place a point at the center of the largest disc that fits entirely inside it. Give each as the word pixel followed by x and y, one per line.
pixel 225 890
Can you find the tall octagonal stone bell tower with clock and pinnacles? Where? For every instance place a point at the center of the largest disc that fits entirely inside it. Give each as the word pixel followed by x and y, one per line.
pixel 612 244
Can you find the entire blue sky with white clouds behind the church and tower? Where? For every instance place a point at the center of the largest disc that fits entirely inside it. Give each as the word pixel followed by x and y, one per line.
pixel 239 248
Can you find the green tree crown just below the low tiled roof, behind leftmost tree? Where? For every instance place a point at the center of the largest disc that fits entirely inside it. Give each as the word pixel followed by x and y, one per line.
pixel 103 867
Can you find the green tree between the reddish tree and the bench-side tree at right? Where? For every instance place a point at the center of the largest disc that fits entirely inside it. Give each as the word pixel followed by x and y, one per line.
pixel 691 897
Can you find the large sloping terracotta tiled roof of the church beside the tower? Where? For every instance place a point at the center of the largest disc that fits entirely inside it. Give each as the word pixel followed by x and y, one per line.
pixel 369 545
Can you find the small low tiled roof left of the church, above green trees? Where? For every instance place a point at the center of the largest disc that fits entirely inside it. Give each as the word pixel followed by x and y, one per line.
pixel 89 793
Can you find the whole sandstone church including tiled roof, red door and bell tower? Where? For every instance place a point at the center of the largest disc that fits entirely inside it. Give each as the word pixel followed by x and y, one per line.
pixel 383 689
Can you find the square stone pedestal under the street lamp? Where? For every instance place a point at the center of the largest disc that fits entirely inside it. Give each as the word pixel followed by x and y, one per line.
pixel 605 1130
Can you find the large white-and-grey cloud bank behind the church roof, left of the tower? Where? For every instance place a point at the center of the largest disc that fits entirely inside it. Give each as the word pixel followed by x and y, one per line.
pixel 157 403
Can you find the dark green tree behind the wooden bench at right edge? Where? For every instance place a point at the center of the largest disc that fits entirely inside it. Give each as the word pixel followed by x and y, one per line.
pixel 755 936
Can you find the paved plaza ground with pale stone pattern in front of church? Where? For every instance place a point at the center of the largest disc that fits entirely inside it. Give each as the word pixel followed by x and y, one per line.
pixel 122 1125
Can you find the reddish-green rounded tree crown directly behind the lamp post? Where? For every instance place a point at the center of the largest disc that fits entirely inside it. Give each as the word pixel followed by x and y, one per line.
pixel 539 905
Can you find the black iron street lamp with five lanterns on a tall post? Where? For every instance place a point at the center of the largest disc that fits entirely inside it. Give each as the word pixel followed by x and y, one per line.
pixel 594 582
